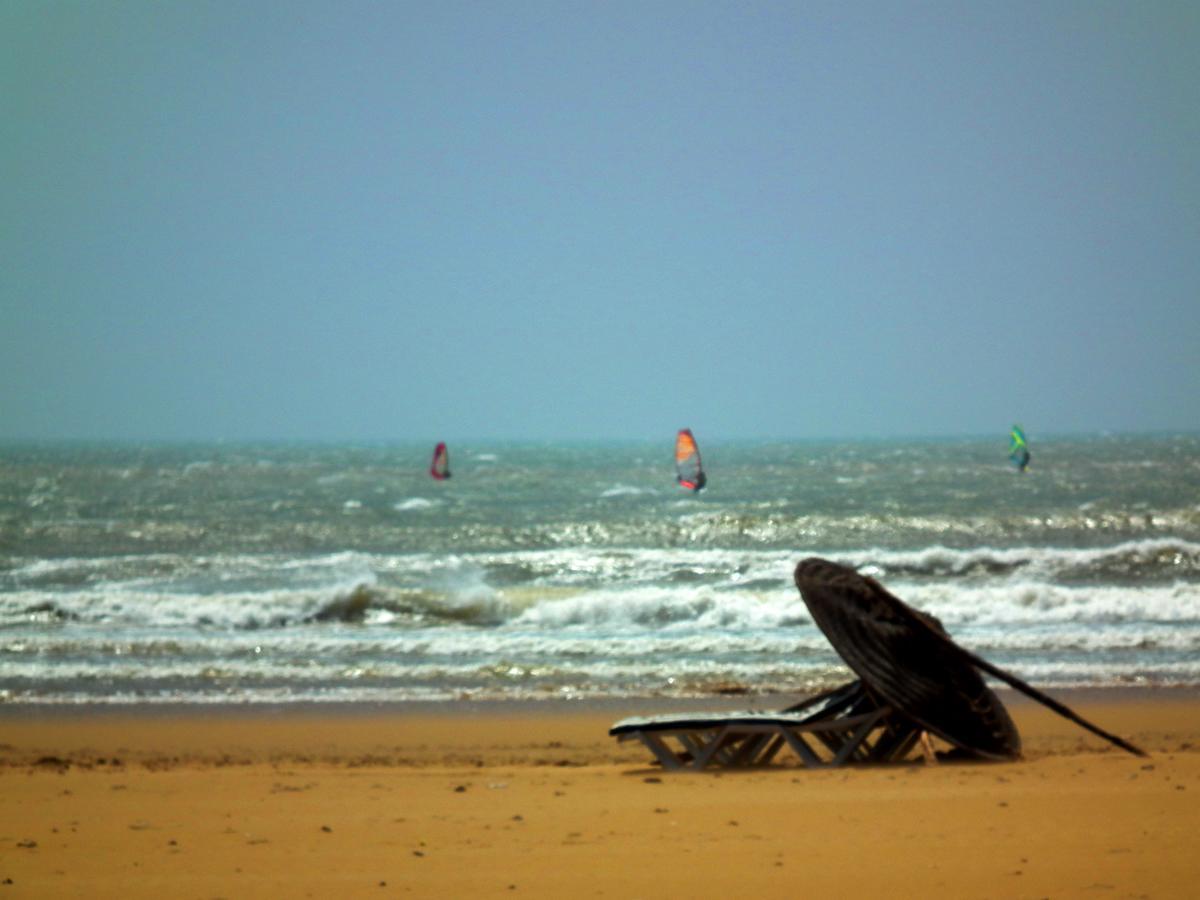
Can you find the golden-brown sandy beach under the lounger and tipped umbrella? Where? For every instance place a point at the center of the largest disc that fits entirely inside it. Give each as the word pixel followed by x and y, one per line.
pixel 539 802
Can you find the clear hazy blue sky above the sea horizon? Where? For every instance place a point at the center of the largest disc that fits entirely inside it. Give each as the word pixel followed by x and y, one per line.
pixel 392 221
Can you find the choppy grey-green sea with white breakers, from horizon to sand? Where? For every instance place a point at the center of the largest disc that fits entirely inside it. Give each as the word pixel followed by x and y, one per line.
pixel 275 574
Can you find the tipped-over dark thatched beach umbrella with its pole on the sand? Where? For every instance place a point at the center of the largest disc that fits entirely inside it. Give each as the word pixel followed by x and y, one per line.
pixel 908 662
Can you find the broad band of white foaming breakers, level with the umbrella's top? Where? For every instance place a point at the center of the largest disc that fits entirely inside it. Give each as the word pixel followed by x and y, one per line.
pixel 725 589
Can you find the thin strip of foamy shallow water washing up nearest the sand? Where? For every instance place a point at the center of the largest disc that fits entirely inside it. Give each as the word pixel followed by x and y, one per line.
pixel 244 682
